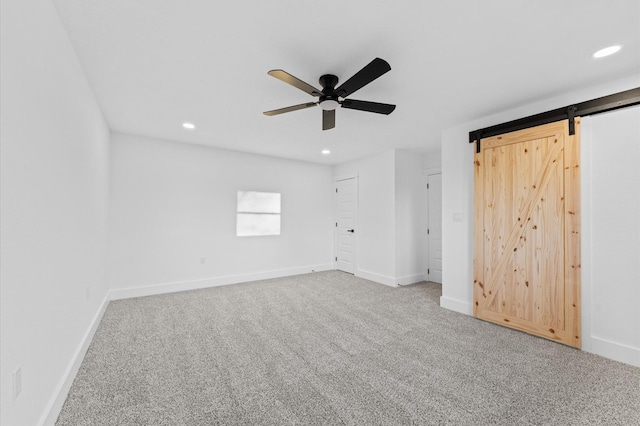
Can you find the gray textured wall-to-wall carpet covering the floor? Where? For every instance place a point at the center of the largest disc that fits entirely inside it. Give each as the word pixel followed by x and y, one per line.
pixel 331 349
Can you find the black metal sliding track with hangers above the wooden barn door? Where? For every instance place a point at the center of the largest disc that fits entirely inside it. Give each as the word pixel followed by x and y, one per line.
pixel 595 106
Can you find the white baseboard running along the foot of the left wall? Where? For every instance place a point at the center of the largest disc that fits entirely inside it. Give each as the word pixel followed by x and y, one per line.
pixel 52 411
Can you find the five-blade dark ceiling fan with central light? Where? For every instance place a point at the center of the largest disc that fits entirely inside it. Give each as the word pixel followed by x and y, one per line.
pixel 330 97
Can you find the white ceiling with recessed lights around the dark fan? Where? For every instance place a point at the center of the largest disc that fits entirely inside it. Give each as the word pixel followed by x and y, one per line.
pixel 154 64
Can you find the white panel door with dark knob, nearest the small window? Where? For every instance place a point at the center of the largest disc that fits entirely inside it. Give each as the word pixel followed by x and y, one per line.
pixel 346 207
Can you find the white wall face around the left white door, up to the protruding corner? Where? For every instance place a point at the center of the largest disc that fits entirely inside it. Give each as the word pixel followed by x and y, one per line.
pixel 375 225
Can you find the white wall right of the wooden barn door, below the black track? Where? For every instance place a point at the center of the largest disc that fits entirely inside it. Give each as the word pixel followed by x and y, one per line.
pixel 611 234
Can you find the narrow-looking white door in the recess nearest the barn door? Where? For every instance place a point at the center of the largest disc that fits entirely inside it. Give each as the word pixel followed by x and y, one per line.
pixel 434 227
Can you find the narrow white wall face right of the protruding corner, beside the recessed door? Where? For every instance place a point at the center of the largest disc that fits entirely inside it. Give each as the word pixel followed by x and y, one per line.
pixel 410 218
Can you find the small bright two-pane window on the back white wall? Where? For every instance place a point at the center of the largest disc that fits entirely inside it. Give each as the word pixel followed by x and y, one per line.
pixel 258 213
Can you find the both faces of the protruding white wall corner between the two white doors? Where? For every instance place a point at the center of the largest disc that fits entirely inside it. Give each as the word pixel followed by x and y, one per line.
pixel 390 245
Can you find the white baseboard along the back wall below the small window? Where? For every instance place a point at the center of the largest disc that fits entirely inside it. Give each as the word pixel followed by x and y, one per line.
pixel 163 288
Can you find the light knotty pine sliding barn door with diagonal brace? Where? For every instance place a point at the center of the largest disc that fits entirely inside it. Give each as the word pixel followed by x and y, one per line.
pixel 526 238
